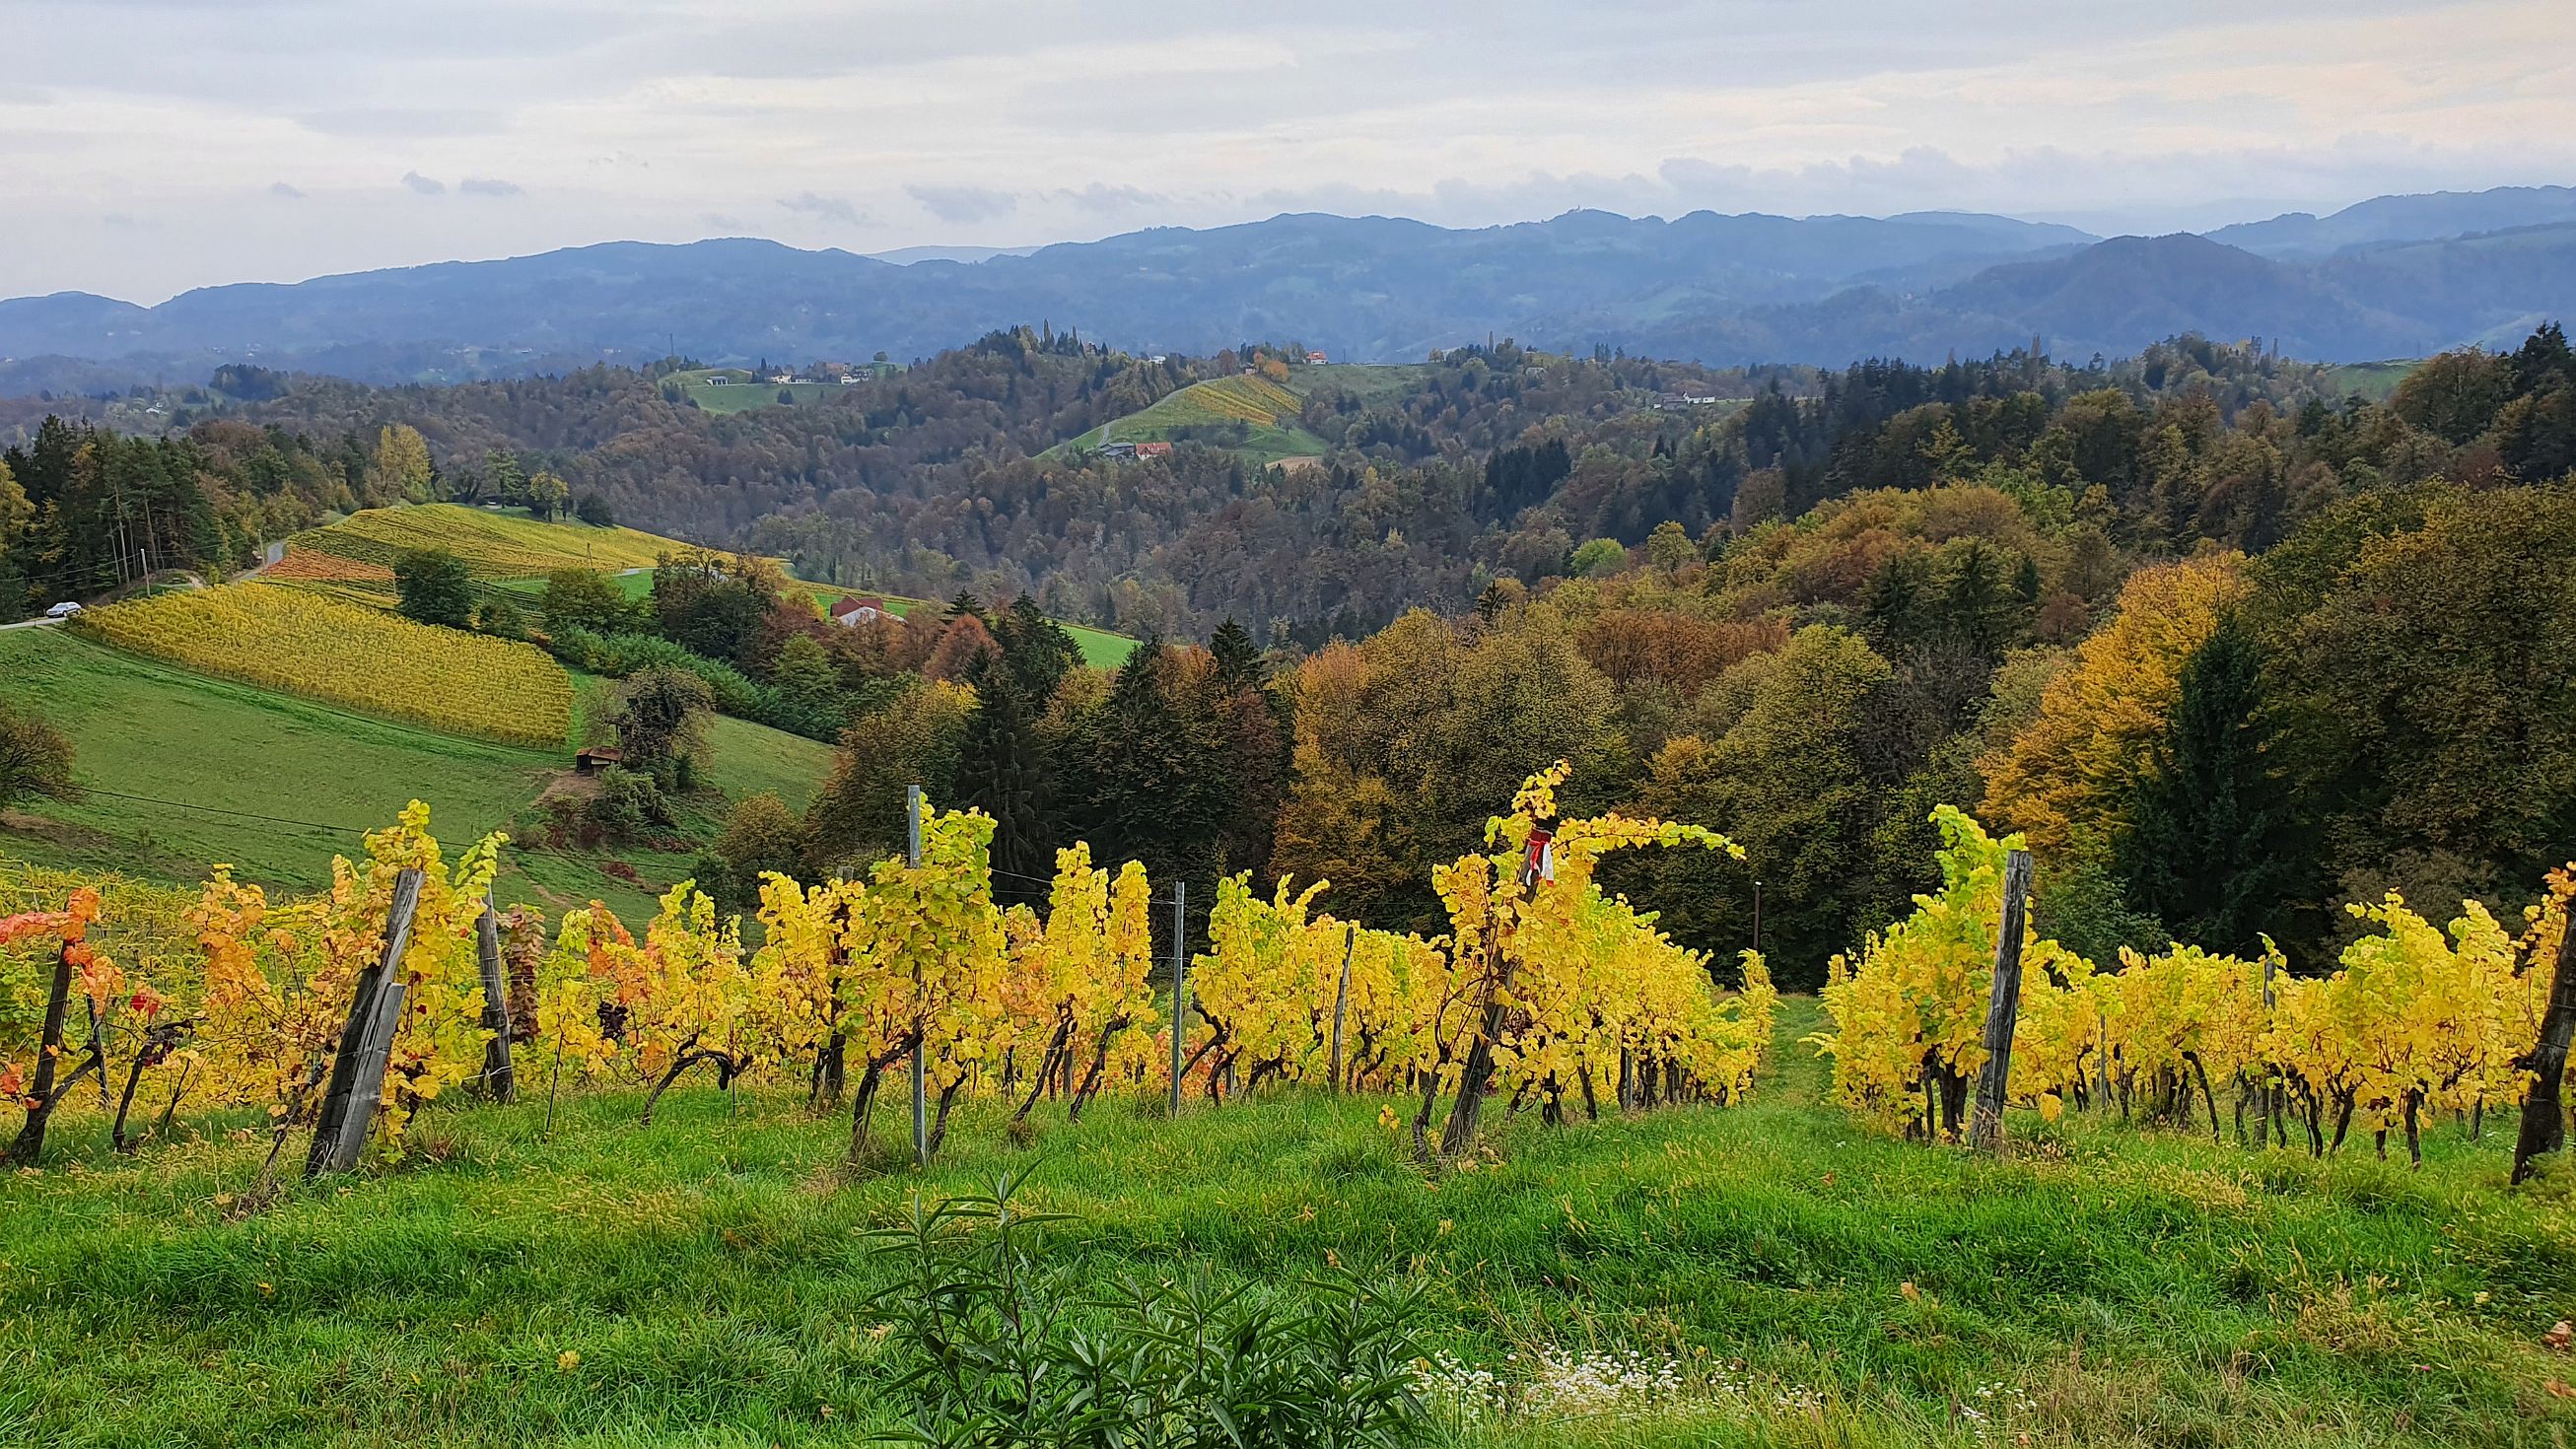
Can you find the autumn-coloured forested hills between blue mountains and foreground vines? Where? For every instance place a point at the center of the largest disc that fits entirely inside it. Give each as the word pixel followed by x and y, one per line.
pixel 2193 622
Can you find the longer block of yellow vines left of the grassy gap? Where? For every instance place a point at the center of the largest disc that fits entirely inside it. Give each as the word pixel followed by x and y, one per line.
pixel 1547 987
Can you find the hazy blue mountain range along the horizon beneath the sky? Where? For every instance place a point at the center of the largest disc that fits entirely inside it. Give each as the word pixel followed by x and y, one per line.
pixel 2387 279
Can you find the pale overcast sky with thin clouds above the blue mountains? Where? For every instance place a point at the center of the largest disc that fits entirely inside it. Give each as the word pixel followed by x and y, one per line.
pixel 161 145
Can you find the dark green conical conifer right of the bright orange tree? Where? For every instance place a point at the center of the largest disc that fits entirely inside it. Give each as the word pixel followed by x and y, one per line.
pixel 2204 848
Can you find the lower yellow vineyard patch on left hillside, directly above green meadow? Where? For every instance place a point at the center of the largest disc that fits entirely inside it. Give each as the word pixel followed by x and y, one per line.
pixel 349 655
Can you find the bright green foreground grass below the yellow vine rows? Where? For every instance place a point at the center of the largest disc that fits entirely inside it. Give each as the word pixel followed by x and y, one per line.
pixel 705 1280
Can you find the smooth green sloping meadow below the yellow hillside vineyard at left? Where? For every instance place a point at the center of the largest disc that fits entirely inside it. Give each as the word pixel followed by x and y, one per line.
pixel 277 786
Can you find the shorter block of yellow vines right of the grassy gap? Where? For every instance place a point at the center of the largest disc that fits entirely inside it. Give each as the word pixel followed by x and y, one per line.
pixel 2410 1026
